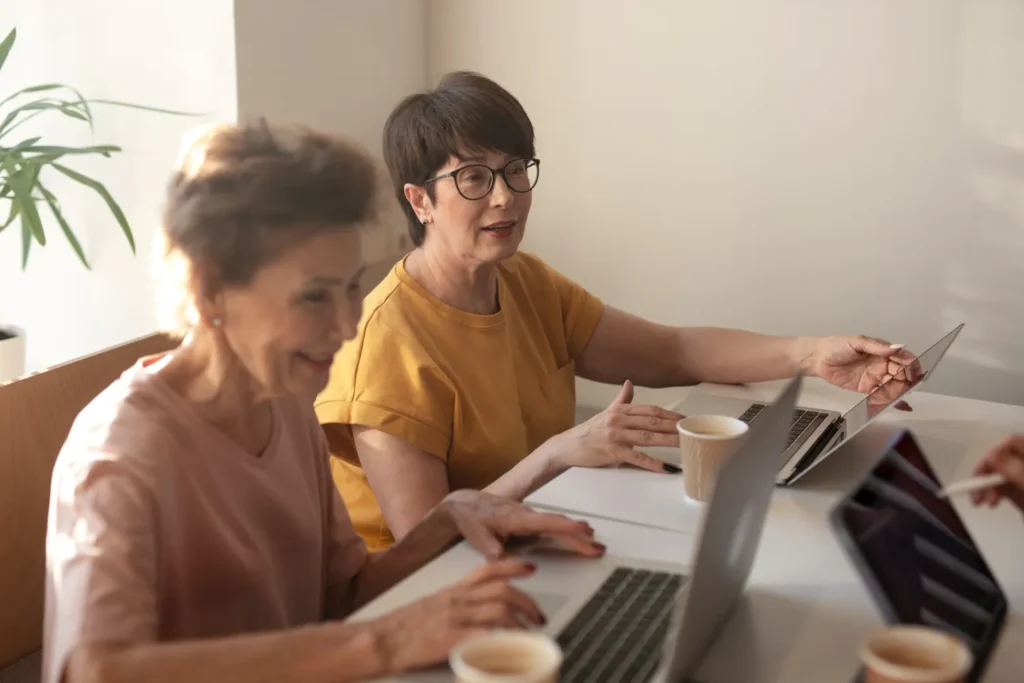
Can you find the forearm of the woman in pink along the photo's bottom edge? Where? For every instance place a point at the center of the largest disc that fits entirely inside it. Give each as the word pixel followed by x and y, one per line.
pixel 322 654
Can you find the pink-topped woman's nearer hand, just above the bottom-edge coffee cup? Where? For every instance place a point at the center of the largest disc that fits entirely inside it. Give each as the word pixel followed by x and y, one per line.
pixel 425 632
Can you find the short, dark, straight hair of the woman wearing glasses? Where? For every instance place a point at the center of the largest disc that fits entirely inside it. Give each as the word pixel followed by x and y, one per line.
pixel 466 112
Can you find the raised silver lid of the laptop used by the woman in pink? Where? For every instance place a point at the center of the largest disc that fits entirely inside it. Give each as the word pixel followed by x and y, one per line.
pixel 732 528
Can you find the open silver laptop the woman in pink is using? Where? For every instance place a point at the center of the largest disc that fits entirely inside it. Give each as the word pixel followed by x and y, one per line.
pixel 623 621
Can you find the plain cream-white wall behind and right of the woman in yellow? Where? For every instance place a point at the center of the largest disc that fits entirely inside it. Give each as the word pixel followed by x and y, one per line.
pixel 789 166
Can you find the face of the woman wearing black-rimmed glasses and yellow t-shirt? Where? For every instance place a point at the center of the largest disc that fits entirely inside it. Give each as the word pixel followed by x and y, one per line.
pixel 484 231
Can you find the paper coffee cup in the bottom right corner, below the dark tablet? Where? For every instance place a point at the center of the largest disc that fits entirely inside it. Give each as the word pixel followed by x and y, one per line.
pixel 916 655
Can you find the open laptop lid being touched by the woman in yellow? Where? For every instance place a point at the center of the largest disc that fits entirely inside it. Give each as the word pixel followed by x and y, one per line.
pixel 887 396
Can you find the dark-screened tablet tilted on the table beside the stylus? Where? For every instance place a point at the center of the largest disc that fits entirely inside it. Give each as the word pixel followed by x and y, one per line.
pixel 915 554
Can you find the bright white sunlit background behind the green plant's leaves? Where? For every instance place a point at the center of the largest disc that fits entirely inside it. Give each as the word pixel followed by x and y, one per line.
pixel 175 55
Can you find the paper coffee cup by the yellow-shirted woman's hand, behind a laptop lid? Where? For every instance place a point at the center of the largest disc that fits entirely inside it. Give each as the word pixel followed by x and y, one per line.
pixel 706 442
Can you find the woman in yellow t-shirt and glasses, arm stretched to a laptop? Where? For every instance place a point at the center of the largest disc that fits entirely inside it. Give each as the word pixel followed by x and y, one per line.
pixel 463 371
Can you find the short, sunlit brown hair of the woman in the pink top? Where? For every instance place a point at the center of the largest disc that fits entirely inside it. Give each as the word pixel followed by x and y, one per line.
pixel 243 194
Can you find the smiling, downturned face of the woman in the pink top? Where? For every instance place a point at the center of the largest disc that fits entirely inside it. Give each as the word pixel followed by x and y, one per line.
pixel 286 326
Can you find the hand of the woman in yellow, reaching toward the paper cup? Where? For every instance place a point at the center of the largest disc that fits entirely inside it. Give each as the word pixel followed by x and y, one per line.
pixel 612 437
